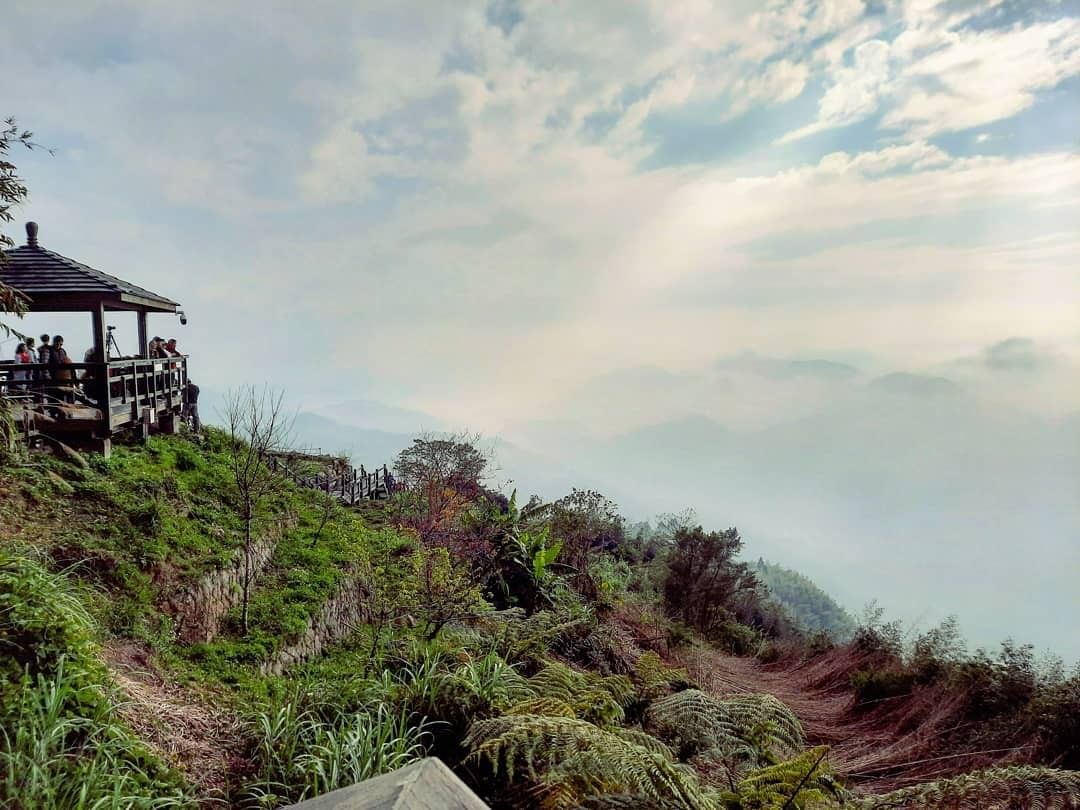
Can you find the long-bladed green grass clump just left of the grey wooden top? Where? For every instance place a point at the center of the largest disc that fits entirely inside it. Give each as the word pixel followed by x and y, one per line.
pixel 300 753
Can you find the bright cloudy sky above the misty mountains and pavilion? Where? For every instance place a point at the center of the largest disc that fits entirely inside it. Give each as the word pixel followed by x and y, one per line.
pixel 549 220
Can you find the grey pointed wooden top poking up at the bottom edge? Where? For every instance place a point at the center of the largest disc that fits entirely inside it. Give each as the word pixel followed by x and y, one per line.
pixel 424 786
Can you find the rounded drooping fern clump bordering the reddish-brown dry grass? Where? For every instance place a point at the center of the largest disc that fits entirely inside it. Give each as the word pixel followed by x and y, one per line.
pixel 740 733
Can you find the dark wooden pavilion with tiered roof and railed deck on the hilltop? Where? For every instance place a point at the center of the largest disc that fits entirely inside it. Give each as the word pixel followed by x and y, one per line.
pixel 87 403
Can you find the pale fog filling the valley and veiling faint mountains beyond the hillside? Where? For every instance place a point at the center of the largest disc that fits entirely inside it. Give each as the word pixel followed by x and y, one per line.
pixel 950 491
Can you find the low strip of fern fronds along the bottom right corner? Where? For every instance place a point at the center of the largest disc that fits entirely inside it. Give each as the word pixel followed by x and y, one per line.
pixel 997 789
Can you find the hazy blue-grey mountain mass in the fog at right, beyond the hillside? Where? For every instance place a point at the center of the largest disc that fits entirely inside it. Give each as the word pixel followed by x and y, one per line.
pixel 934 502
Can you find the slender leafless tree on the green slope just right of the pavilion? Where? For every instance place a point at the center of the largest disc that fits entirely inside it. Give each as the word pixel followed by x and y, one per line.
pixel 258 428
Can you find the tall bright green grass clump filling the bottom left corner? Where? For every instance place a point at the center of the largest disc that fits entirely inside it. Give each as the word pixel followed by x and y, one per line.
pixel 62 742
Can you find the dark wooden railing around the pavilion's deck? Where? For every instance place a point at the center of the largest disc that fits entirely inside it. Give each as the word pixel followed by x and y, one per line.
pixel 114 396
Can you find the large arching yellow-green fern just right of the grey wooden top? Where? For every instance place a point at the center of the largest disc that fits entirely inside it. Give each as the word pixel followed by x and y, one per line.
pixel 568 760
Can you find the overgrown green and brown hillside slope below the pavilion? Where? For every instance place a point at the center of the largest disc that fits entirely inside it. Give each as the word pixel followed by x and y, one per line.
pixel 369 646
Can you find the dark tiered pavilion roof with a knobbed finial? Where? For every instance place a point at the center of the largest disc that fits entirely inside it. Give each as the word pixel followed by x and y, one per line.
pixel 53 282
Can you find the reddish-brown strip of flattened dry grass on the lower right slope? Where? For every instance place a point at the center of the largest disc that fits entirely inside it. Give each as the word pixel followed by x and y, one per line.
pixel 876 757
